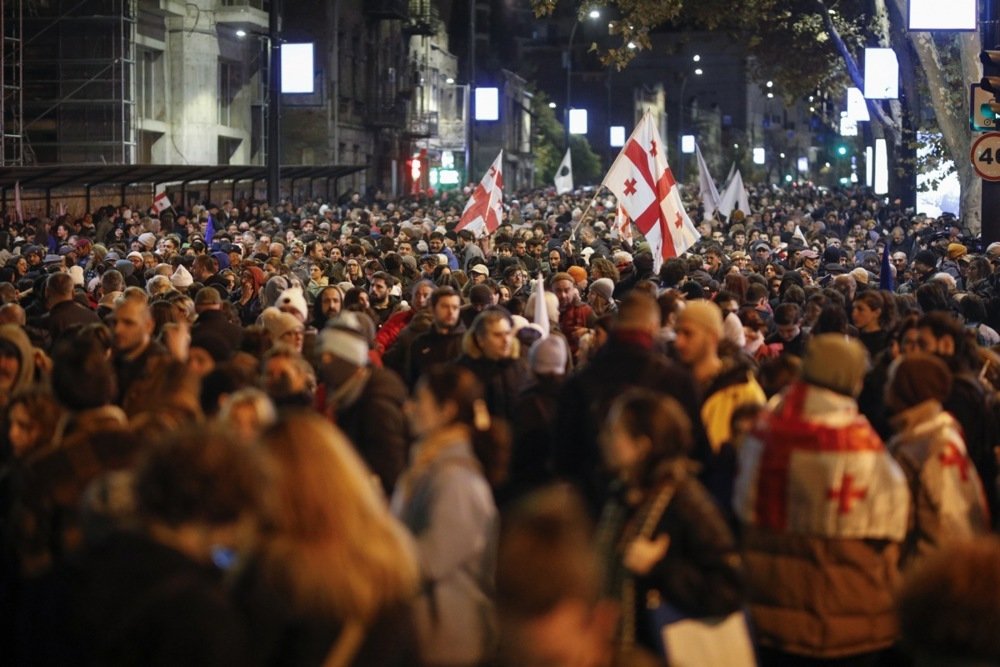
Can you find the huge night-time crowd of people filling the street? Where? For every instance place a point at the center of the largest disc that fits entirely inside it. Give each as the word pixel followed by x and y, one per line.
pixel 348 433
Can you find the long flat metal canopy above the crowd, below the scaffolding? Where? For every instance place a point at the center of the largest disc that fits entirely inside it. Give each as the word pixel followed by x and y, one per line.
pixel 67 176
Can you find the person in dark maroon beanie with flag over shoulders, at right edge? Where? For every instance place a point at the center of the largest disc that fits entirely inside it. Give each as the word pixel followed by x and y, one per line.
pixel 949 502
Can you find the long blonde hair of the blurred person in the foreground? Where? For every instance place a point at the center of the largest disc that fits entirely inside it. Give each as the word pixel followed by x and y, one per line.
pixel 334 547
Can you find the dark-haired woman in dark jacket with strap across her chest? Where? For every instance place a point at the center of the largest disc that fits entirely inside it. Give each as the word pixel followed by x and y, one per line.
pixel 662 534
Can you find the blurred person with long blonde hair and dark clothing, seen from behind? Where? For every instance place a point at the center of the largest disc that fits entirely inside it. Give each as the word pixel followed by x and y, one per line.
pixel 334 573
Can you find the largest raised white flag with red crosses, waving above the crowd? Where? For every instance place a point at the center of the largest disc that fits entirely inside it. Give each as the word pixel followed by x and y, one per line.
pixel 645 187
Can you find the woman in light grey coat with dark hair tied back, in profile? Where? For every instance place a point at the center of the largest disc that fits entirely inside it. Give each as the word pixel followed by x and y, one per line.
pixel 445 500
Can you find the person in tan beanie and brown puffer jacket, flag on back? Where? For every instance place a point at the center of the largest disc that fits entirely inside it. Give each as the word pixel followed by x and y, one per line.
pixel 823 522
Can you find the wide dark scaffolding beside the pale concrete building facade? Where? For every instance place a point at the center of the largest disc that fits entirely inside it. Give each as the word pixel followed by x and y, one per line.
pixel 79 75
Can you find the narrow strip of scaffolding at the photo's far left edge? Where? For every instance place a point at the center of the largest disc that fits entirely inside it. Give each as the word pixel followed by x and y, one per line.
pixel 11 78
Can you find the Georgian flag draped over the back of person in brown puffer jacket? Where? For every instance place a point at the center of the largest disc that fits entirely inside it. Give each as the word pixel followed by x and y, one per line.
pixel 819 479
